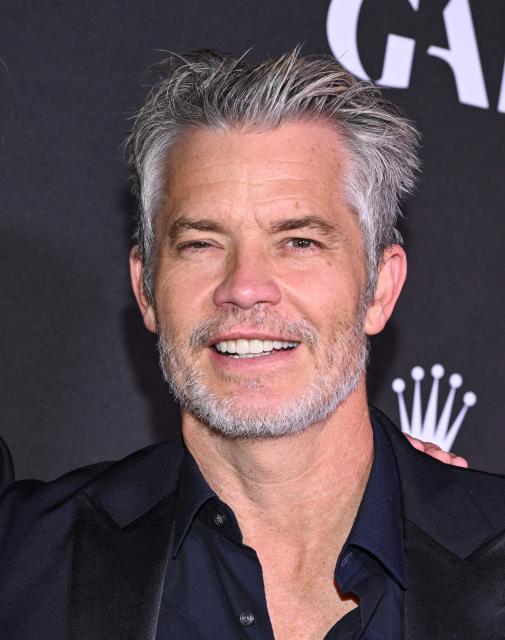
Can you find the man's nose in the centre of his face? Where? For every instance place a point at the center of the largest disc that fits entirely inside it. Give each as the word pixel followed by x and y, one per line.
pixel 248 281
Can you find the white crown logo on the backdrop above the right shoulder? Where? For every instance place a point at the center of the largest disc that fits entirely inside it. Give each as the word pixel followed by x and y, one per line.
pixel 433 428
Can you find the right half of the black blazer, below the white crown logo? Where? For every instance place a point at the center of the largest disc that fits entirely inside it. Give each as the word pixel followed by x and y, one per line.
pixel 454 547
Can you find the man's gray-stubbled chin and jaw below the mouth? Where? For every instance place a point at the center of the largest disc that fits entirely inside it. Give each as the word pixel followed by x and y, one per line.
pixel 244 400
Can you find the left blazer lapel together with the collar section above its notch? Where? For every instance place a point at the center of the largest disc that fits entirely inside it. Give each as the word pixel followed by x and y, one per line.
pixel 123 524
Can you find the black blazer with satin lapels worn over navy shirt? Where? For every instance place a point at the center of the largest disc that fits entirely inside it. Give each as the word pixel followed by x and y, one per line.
pixel 84 557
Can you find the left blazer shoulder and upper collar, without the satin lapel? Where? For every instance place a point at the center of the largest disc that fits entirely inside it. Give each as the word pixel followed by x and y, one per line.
pixel 37 532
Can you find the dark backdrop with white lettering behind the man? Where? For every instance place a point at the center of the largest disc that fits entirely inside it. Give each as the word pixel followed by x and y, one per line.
pixel 79 375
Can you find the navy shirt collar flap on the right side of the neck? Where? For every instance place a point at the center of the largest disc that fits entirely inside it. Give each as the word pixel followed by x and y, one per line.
pixel 378 527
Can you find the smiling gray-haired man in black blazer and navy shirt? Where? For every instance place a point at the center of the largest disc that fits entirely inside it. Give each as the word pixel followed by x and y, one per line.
pixel 266 255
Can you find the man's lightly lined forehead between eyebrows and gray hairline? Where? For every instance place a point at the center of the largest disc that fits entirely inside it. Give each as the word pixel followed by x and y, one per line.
pixel 300 160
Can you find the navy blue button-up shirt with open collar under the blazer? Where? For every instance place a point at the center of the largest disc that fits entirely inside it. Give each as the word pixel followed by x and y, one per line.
pixel 214 587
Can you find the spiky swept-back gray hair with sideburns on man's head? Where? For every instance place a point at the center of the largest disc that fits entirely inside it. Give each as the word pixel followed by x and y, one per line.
pixel 223 92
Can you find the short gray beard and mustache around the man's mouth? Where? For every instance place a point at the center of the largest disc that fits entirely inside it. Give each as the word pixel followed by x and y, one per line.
pixel 338 373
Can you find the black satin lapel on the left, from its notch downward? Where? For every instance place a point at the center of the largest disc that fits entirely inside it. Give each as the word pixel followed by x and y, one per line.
pixel 118 574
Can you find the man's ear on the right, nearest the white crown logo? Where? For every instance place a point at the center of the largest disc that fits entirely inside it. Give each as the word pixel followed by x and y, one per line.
pixel 390 279
